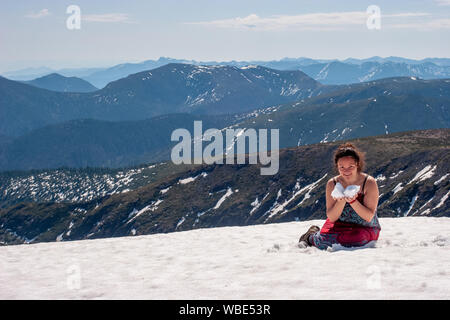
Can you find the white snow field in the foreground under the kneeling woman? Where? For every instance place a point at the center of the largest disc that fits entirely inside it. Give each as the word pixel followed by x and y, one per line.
pixel 409 261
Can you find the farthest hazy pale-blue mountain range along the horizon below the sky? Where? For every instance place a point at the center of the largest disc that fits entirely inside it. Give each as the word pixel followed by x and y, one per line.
pixel 333 71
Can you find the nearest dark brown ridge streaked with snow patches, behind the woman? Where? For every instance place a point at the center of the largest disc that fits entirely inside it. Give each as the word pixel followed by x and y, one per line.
pixel 411 169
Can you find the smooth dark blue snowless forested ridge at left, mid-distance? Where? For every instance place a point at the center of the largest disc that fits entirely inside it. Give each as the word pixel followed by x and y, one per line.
pixel 95 143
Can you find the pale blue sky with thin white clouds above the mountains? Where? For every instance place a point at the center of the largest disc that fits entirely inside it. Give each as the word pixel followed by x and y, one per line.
pixel 33 33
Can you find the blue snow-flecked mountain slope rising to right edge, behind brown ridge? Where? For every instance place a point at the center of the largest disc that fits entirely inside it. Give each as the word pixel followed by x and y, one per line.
pixel 359 110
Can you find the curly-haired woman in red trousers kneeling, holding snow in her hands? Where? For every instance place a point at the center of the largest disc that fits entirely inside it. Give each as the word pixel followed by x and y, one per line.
pixel 351 216
